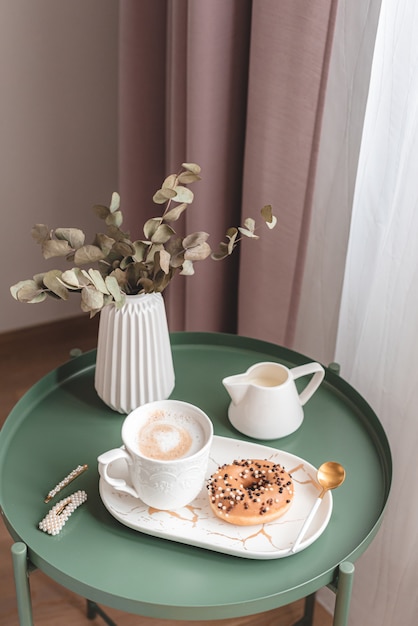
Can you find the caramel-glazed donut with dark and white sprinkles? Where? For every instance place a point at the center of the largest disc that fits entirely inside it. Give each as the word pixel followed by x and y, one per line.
pixel 250 491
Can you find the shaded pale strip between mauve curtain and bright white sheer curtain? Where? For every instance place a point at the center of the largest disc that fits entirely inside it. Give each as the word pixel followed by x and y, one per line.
pixel 341 132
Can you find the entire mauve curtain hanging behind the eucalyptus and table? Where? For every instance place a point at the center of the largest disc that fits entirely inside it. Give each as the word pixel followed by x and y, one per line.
pixel 236 86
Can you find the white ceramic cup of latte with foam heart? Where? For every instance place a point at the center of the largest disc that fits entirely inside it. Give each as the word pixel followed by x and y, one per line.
pixel 166 448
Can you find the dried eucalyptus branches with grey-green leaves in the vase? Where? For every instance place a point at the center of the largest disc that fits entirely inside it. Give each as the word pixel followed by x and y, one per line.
pixel 124 267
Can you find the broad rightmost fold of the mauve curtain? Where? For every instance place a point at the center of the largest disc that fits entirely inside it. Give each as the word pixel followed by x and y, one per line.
pixel 289 63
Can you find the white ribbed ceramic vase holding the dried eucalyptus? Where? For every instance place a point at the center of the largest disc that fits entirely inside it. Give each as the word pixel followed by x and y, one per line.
pixel 134 363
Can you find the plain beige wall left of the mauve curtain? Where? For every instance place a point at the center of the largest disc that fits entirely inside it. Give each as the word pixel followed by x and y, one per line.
pixel 58 137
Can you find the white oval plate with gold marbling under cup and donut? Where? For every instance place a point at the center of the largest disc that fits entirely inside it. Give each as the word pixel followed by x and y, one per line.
pixel 196 524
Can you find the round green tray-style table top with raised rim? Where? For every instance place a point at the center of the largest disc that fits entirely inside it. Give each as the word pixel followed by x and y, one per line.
pixel 61 423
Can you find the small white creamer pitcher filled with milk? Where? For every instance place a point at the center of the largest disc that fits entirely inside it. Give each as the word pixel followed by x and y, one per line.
pixel 265 401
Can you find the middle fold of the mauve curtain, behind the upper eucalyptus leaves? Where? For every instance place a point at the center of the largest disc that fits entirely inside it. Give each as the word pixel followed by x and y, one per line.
pixel 208 87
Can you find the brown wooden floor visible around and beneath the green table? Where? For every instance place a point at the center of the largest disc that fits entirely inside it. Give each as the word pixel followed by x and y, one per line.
pixel 25 356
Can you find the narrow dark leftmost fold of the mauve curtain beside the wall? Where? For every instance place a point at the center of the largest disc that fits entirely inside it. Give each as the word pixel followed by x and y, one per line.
pixel 142 110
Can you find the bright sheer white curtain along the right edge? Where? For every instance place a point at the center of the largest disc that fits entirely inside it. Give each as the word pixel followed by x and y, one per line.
pixel 377 341
